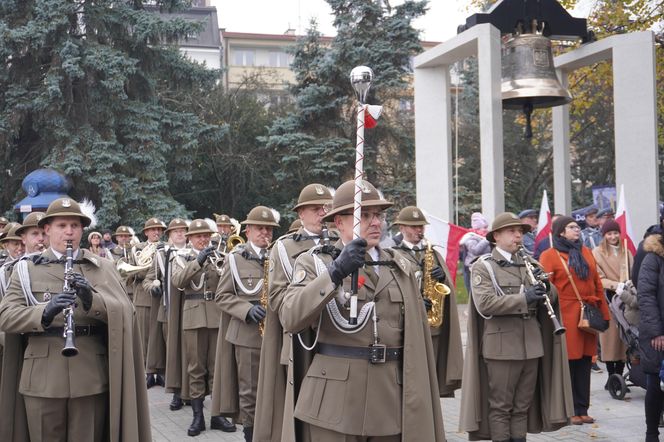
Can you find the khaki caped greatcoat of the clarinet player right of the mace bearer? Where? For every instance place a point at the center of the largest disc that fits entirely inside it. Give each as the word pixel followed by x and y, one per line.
pixel 511 338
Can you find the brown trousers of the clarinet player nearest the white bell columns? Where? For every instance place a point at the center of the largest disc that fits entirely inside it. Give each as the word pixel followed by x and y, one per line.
pixel 511 390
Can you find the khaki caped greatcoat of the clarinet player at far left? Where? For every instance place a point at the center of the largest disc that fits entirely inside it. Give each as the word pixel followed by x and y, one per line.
pixel 128 415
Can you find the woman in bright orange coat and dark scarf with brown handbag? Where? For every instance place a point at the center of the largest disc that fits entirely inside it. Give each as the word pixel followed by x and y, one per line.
pixel 581 346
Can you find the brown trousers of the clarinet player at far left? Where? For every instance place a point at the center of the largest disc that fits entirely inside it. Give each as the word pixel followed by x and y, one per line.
pixel 67 420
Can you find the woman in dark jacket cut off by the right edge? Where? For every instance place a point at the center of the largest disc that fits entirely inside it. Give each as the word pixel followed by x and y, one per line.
pixel 651 328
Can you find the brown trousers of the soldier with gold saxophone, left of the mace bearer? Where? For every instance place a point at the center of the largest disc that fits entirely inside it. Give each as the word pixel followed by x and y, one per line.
pixel 247 359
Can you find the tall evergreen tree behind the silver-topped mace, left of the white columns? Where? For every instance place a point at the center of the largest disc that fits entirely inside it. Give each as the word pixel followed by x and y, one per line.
pixel 316 142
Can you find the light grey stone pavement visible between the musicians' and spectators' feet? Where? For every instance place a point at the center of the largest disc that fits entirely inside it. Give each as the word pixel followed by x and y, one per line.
pixel 615 420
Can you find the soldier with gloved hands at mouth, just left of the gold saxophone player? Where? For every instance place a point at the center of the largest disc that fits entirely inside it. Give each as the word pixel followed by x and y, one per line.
pixel 197 277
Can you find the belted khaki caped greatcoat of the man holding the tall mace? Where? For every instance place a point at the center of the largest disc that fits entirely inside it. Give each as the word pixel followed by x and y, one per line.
pixel 354 396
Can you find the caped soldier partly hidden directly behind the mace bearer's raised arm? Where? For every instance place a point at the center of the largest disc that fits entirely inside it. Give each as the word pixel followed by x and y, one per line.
pixel 276 348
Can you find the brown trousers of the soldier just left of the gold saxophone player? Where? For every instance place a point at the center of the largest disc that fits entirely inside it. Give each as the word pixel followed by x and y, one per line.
pixel 200 346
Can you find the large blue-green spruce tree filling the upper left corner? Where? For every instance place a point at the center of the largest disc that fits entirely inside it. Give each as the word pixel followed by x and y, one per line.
pixel 84 86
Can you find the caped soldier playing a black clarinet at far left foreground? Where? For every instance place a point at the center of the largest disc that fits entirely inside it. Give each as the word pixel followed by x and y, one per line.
pixel 93 395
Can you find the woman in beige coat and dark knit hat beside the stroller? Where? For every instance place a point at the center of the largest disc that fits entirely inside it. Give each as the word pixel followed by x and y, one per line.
pixel 613 264
